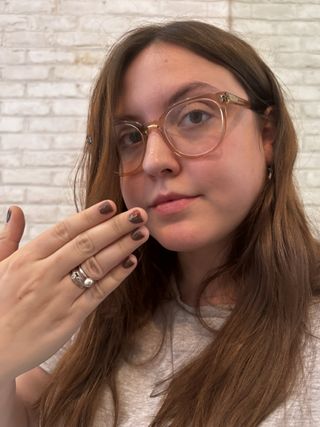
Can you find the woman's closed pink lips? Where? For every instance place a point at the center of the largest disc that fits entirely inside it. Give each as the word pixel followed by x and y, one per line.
pixel 171 203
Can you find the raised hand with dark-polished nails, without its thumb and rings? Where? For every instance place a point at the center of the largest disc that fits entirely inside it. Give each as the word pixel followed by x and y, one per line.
pixel 40 306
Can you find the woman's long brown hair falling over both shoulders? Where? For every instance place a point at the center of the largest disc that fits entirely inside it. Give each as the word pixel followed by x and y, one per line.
pixel 252 365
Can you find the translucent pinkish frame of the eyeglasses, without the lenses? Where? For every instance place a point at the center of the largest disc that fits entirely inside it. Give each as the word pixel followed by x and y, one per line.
pixel 223 99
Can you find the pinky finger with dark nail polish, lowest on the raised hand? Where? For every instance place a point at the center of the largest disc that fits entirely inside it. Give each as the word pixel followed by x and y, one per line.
pixel 92 297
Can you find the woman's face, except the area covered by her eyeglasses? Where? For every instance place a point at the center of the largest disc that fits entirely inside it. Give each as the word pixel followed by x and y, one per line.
pixel 195 203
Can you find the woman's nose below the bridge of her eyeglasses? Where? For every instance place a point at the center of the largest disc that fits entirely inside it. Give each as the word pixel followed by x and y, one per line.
pixel 159 159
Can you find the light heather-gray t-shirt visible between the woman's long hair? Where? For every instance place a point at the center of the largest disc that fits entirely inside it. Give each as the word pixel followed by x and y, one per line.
pixel 140 384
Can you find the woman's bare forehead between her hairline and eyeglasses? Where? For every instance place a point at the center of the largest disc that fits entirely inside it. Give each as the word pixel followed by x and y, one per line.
pixel 162 69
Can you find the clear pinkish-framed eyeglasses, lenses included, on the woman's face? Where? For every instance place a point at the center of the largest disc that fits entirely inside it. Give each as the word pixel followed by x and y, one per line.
pixel 191 128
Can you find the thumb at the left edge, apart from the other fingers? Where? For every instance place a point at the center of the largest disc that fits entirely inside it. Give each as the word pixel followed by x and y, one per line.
pixel 11 233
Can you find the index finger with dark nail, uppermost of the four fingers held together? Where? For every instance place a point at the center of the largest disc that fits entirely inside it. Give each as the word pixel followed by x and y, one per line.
pixel 63 232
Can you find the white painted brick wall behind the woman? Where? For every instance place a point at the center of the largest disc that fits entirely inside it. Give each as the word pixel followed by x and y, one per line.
pixel 51 51
